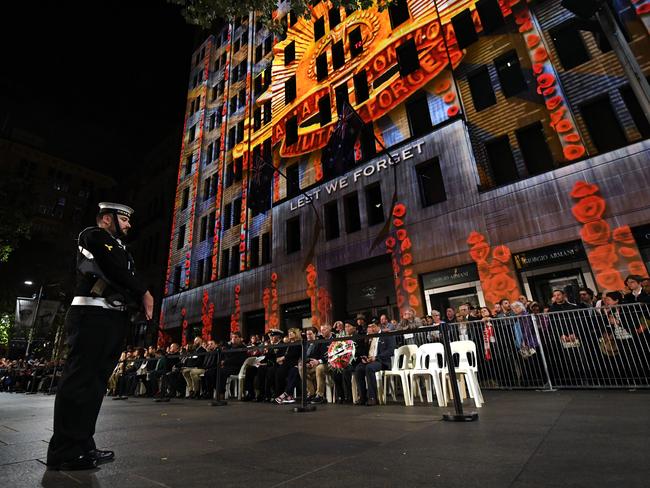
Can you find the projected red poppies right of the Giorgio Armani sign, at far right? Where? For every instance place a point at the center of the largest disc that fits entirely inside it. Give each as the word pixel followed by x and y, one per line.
pixel 612 253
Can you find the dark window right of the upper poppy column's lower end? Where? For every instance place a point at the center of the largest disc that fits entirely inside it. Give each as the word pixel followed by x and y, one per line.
pixel 602 124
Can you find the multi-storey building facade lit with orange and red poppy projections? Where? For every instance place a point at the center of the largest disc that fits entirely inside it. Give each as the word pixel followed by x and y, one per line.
pixel 503 154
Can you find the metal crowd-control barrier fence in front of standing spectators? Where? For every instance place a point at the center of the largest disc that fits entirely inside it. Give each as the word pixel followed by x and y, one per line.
pixel 584 348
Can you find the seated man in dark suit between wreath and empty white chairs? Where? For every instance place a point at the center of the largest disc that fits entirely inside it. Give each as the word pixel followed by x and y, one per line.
pixel 380 352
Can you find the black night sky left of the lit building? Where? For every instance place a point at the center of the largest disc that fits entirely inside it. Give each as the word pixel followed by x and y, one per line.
pixel 101 81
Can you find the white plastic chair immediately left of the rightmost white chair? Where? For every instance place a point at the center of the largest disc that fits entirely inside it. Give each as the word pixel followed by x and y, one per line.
pixel 430 364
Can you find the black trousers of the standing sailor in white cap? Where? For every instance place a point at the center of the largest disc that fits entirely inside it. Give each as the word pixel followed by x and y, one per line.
pixel 95 337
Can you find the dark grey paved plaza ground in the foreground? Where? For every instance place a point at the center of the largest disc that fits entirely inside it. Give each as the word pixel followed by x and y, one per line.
pixel 523 439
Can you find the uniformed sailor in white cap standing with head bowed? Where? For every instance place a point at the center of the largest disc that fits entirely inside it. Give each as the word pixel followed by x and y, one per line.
pixel 96 325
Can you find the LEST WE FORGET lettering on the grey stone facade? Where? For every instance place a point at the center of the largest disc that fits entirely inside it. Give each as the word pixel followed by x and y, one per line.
pixel 378 165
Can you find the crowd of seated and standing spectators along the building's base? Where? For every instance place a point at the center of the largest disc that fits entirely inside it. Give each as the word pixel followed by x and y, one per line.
pixel 506 337
